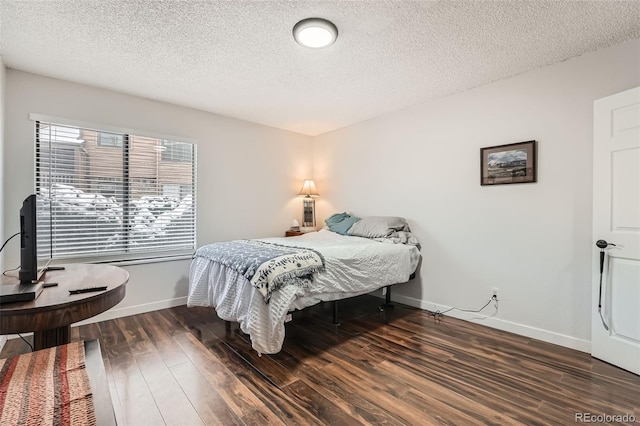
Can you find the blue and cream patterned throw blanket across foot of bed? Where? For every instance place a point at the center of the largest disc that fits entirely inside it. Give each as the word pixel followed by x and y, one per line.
pixel 268 266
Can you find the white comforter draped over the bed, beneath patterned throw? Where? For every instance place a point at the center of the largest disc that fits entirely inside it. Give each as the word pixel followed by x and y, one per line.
pixel 354 266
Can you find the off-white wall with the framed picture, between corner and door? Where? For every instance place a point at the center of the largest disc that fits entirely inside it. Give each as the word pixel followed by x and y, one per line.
pixel 533 241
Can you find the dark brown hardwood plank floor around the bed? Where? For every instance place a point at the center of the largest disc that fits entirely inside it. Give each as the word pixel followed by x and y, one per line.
pixel 182 366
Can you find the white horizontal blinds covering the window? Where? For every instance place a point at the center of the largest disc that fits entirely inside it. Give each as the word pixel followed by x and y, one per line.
pixel 107 196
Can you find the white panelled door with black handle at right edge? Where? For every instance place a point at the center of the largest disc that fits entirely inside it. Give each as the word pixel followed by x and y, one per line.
pixel 615 326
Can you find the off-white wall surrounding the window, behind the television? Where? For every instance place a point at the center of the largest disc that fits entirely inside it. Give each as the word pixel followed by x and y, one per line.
pixel 248 174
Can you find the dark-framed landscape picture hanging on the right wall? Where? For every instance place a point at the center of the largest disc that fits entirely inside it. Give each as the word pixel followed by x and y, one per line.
pixel 512 163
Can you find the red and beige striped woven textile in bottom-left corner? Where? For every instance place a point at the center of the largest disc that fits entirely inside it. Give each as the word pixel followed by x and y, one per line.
pixel 46 387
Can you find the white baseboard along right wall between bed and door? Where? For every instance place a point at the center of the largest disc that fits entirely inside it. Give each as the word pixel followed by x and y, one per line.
pixel 500 324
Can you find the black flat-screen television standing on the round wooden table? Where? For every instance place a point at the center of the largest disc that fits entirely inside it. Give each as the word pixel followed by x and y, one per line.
pixel 28 241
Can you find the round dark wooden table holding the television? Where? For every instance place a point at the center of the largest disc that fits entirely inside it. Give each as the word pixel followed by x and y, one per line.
pixel 50 315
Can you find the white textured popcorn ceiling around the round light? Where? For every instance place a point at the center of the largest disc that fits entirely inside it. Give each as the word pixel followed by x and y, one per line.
pixel 238 58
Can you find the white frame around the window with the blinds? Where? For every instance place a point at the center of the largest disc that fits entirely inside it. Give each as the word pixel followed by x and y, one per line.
pixel 130 256
